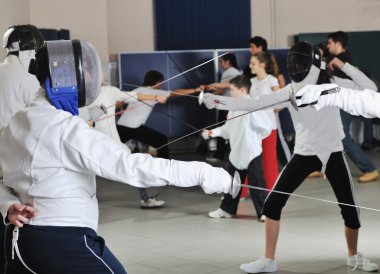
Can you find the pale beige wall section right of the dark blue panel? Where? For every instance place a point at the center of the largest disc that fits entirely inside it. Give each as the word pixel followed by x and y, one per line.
pixel 280 20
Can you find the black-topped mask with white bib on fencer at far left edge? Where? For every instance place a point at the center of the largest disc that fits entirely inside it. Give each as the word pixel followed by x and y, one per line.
pixel 23 39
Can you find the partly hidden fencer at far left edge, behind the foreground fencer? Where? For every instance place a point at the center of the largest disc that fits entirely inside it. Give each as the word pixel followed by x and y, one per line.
pixel 17 86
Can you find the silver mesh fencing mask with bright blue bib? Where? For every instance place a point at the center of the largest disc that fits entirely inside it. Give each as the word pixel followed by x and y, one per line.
pixel 70 71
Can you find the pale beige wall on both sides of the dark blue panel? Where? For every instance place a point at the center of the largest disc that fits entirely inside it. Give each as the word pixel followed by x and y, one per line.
pixel 127 25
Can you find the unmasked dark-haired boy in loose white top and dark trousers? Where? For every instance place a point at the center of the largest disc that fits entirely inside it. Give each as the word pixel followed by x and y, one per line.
pixel 245 133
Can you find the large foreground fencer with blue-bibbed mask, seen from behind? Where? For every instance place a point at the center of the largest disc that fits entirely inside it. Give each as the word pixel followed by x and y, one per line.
pixel 49 159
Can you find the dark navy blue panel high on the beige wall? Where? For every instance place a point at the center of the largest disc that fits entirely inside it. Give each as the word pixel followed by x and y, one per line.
pixel 202 24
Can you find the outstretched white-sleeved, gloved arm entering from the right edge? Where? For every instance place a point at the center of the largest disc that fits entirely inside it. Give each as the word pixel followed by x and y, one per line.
pixel 357 102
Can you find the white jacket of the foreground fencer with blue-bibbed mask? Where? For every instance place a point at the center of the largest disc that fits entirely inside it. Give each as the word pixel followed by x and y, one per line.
pixel 49 159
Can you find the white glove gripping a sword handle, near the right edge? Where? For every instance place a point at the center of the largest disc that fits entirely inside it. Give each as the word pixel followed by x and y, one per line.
pixel 309 95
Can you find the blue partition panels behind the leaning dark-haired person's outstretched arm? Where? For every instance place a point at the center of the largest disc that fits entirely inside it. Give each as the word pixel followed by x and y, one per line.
pixel 133 66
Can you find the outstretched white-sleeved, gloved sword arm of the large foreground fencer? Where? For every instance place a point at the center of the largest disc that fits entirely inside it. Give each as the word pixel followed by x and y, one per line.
pixel 114 162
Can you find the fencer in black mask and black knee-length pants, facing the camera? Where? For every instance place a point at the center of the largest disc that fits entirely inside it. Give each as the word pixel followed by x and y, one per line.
pixel 318 147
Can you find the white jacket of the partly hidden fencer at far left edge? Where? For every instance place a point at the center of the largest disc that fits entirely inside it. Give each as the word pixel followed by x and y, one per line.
pixel 17 88
